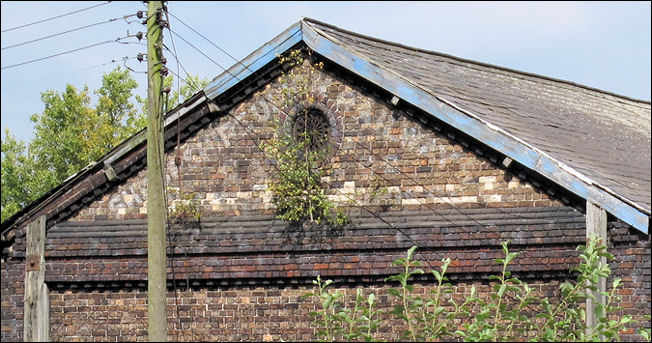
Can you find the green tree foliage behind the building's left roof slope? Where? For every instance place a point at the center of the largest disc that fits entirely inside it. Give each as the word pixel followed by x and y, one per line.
pixel 71 133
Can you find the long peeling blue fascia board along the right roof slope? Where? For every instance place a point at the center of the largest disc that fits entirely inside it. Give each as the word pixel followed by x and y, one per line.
pixel 471 124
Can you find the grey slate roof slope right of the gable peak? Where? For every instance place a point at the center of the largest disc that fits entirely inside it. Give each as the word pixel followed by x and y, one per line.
pixel 604 136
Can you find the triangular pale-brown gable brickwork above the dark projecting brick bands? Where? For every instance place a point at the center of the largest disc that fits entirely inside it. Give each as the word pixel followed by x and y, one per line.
pixel 380 148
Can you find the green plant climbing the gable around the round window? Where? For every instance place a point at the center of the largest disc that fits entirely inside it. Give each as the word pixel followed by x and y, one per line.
pixel 298 150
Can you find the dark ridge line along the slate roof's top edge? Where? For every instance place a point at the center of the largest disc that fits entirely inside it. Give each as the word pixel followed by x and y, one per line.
pixel 465 60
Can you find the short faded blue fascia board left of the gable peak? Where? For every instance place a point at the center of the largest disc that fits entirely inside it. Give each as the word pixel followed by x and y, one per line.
pixel 255 61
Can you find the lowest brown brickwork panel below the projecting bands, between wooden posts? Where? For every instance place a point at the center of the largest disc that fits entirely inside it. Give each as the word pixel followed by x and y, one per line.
pixel 209 314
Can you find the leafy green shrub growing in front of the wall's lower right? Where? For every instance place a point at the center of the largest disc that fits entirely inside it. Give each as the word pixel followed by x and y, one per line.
pixel 509 313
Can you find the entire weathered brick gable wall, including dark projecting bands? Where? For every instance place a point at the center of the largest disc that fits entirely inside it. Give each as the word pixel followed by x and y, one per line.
pixel 402 183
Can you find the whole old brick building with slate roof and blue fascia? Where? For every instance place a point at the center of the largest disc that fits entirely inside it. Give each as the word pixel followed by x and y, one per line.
pixel 469 155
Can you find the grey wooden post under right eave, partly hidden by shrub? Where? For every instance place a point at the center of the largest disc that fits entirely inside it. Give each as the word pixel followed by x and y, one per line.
pixel 596 225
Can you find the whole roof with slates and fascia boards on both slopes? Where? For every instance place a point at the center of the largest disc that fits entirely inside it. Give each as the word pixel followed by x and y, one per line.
pixel 593 143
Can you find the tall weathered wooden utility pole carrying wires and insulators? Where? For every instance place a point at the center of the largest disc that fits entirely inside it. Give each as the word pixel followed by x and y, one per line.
pixel 156 272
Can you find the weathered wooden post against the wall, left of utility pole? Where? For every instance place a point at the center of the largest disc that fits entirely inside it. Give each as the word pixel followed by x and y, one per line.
pixel 36 322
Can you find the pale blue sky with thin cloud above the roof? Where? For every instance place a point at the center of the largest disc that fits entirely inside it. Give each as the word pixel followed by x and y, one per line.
pixel 604 45
